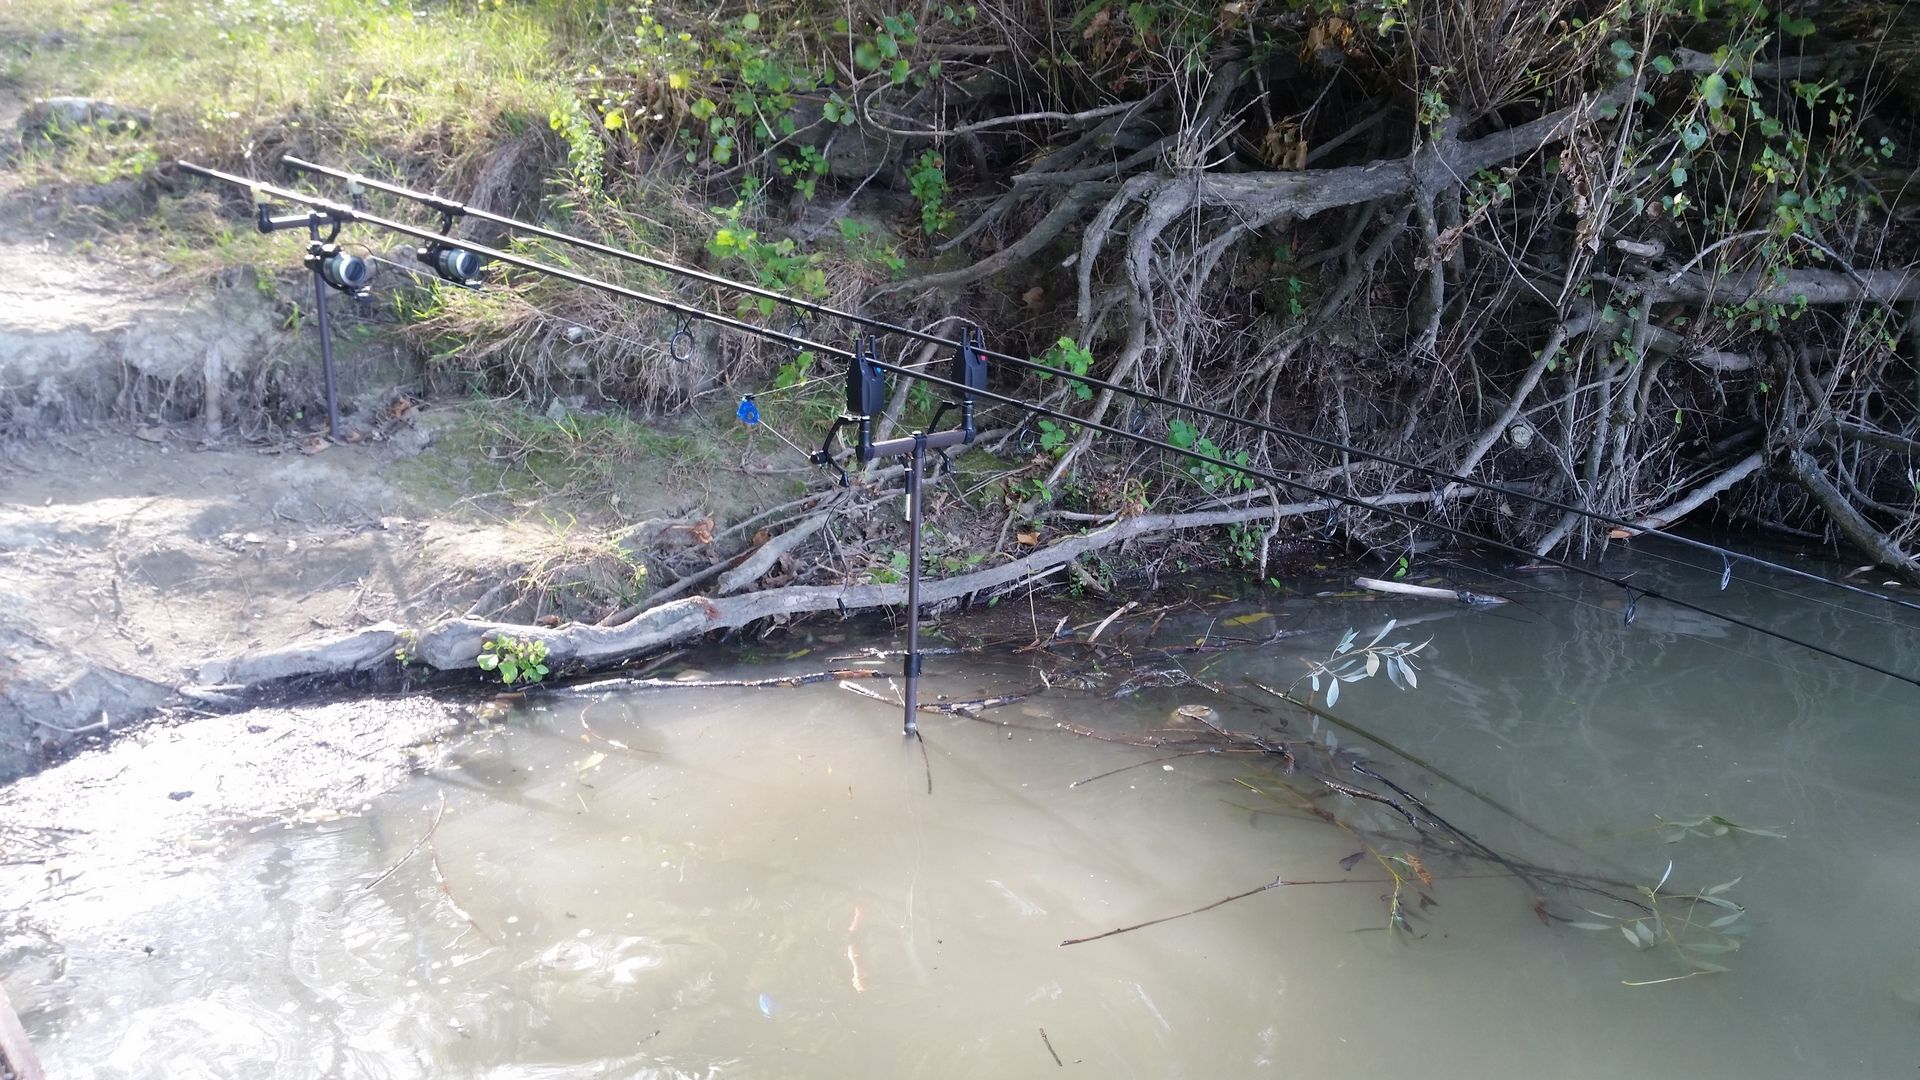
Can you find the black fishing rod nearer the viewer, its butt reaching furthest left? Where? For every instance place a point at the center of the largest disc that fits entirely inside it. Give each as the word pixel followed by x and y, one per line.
pixel 865 364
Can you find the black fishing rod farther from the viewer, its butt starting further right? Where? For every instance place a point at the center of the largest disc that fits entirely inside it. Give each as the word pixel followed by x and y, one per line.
pixel 452 210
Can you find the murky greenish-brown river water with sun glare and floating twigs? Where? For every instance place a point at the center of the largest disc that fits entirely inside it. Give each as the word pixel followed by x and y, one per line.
pixel 757 883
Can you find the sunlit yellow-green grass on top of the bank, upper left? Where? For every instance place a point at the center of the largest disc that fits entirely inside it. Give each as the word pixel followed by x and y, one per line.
pixel 233 78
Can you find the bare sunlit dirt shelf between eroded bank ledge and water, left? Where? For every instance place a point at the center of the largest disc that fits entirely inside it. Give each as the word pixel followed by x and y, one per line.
pixel 126 562
